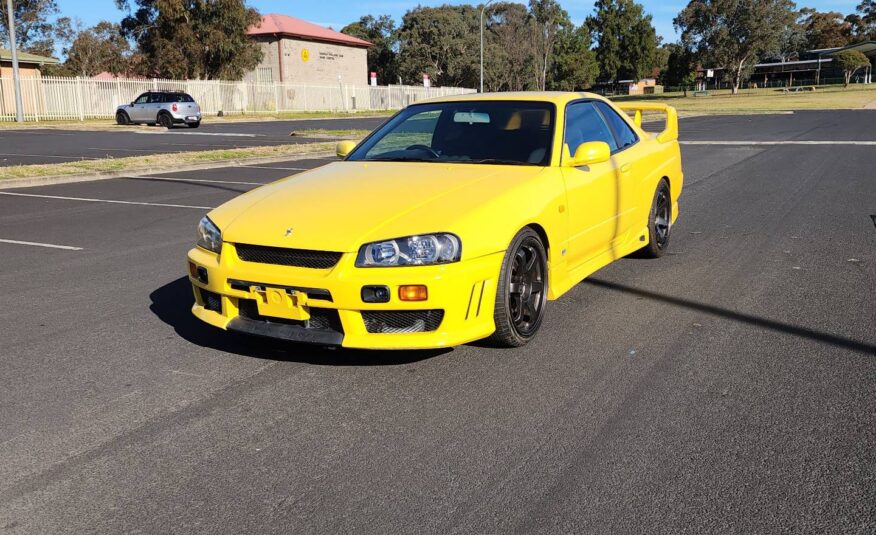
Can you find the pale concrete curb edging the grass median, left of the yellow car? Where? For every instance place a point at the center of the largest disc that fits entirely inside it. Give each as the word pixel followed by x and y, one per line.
pixel 30 182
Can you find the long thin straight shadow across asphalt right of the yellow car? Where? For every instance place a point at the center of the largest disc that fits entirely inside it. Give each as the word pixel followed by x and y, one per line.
pixel 757 321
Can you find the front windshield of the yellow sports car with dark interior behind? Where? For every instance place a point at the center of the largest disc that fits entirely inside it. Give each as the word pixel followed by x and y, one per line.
pixel 500 132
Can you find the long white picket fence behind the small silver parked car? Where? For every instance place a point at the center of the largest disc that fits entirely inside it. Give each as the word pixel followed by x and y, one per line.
pixel 59 98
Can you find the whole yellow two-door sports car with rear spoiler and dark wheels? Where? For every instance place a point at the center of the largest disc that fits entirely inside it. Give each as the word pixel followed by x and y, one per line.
pixel 456 220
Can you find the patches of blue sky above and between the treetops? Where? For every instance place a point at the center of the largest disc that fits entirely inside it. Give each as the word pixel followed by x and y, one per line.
pixel 338 13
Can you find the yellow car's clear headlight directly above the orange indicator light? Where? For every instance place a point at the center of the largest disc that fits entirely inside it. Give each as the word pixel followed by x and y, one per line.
pixel 419 250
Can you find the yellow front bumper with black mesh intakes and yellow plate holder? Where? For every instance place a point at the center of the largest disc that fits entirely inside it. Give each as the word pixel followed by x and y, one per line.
pixel 459 307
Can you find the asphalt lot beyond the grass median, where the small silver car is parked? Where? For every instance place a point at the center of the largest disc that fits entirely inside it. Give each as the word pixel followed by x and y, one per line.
pixel 51 145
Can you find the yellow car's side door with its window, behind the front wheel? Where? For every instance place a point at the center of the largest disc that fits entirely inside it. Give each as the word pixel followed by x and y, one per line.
pixel 591 190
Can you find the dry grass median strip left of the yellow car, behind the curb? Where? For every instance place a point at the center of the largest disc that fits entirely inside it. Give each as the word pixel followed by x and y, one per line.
pixel 158 162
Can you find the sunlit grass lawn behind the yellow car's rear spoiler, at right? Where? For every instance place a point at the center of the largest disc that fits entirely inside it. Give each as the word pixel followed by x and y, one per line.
pixel 765 100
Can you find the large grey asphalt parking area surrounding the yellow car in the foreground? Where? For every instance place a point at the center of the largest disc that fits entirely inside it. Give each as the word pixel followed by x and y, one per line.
pixel 729 387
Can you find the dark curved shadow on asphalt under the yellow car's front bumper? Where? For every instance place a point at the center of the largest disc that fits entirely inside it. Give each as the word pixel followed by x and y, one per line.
pixel 172 303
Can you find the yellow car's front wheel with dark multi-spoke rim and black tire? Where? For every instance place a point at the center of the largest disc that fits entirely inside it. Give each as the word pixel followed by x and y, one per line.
pixel 521 295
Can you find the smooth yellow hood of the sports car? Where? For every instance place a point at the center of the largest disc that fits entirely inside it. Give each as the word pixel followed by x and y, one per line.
pixel 343 205
